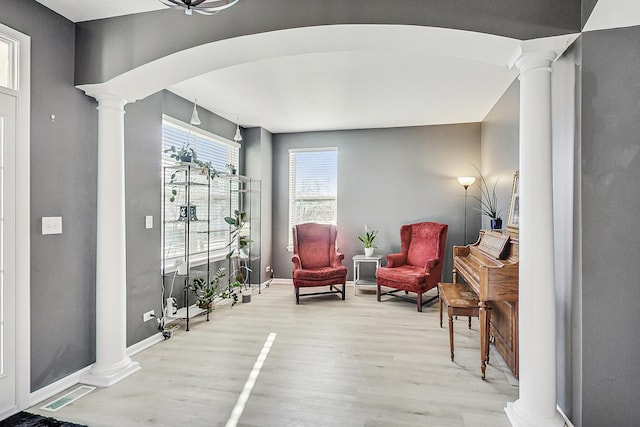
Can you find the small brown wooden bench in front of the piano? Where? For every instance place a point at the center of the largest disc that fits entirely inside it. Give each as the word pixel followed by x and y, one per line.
pixel 460 300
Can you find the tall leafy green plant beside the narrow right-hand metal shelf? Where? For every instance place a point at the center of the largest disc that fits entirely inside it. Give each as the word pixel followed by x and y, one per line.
pixel 239 247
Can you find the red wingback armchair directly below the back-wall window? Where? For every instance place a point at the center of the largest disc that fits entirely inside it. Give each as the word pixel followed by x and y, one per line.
pixel 316 262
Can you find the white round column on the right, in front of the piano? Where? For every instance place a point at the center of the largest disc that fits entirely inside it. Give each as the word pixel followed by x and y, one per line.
pixel 537 405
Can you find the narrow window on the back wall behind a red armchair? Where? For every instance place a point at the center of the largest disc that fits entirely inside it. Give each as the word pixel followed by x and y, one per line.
pixel 313 187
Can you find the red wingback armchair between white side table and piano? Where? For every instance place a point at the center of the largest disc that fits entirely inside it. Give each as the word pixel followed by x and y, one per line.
pixel 418 267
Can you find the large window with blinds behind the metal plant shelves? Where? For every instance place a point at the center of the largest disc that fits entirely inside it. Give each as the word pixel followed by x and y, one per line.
pixel 218 152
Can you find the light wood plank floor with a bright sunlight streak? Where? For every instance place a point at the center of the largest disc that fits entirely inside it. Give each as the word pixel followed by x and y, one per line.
pixel 334 363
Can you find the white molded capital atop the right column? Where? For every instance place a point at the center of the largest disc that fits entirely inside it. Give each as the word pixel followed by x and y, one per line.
pixel 540 53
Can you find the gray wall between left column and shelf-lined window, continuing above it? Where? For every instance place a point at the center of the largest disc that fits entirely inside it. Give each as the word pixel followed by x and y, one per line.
pixel 143 153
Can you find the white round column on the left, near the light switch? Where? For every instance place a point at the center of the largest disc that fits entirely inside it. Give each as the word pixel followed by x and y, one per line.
pixel 112 363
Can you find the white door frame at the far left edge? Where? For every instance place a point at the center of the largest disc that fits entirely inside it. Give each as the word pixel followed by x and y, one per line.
pixel 23 217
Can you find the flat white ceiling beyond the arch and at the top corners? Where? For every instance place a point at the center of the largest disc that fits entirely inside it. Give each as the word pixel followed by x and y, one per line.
pixel 350 81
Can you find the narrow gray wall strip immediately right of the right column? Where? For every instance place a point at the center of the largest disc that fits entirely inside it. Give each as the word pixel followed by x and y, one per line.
pixel 565 110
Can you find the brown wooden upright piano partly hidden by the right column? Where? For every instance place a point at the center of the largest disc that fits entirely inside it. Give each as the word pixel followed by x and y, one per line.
pixel 490 267
